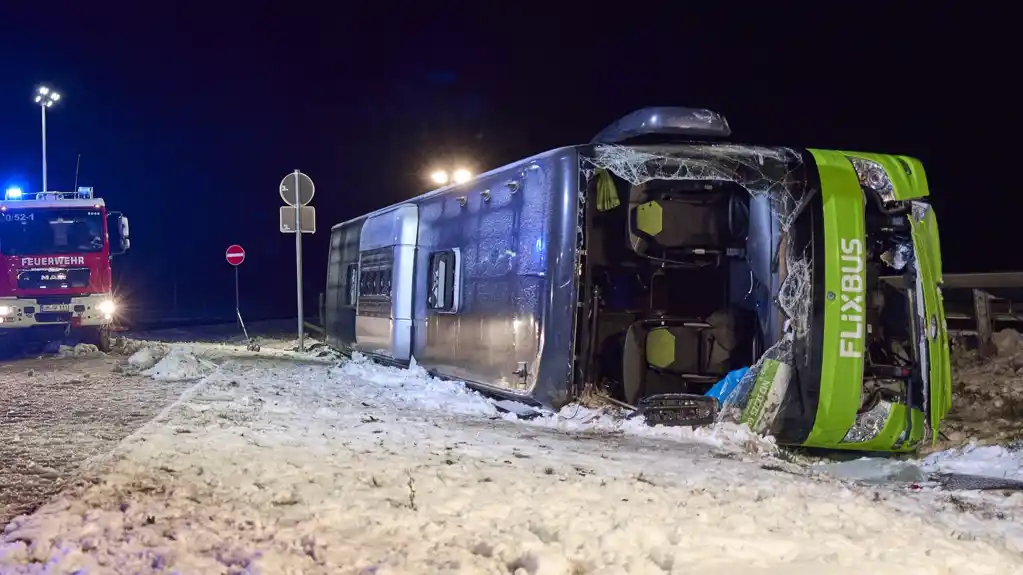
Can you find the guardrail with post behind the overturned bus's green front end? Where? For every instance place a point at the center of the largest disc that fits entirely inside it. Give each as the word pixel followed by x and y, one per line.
pixel 977 303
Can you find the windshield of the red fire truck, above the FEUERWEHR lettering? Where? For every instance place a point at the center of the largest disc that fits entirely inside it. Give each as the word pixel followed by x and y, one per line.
pixel 48 231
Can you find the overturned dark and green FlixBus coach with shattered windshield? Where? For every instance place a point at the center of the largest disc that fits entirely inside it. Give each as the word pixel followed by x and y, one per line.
pixel 657 262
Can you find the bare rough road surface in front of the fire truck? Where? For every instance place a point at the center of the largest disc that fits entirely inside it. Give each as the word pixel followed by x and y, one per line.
pixel 57 413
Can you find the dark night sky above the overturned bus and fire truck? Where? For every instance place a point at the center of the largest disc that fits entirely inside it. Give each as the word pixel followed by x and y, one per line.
pixel 189 115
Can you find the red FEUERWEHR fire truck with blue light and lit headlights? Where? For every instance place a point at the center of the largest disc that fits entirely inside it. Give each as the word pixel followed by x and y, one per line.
pixel 56 251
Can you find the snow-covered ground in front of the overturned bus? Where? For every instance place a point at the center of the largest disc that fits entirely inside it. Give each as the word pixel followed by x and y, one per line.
pixel 284 463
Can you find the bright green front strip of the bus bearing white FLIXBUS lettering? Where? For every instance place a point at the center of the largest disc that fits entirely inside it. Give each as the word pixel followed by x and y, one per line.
pixel 846 281
